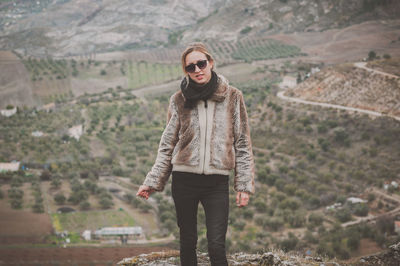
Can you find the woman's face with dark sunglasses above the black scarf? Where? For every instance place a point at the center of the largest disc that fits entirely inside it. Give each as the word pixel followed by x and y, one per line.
pixel 201 76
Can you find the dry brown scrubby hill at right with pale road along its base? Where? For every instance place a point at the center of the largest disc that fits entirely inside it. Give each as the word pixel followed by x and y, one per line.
pixel 353 85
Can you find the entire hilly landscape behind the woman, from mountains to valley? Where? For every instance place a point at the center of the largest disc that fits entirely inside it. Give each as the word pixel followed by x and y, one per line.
pixel 108 67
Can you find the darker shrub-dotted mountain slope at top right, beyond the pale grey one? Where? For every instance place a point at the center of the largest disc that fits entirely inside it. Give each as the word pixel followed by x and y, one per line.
pixel 272 16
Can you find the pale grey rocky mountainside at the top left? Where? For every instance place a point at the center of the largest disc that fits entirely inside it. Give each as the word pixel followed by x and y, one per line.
pixel 79 27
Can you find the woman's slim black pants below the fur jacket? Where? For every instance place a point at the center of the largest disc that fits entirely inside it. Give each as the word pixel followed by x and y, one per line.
pixel 213 192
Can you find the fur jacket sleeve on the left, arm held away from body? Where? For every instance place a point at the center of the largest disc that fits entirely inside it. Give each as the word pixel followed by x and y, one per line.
pixel 161 170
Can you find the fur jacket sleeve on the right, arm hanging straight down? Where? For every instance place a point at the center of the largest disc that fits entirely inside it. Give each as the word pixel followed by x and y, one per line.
pixel 244 161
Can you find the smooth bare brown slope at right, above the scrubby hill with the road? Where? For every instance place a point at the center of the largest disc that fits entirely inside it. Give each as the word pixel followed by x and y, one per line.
pixel 348 44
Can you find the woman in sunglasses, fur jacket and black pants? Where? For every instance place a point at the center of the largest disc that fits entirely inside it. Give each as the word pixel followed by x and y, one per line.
pixel 207 135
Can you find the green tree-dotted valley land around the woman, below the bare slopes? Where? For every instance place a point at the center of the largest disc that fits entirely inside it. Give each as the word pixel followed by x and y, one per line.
pixel 308 159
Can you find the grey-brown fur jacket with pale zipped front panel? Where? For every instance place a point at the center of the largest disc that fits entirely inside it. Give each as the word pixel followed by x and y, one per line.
pixel 211 138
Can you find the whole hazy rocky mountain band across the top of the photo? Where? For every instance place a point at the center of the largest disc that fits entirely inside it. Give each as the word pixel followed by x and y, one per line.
pixel 83 26
